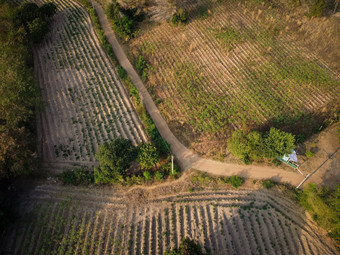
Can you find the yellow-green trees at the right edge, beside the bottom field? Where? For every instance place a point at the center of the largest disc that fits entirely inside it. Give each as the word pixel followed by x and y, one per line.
pixel 324 205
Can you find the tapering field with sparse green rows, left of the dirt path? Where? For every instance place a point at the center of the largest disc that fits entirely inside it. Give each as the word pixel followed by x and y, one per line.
pixel 86 104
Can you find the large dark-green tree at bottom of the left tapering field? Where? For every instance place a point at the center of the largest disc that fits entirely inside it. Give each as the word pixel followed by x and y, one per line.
pixel 114 157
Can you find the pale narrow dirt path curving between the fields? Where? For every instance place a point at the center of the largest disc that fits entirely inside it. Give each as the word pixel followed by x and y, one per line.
pixel 185 157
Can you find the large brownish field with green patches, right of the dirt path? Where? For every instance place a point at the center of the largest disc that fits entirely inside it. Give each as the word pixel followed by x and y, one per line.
pixel 230 67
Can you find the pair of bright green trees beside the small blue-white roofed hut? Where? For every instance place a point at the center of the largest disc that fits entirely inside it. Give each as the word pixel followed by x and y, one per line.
pixel 256 146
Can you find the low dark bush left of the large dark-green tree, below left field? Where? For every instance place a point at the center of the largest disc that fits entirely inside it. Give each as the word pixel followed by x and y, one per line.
pixel 77 176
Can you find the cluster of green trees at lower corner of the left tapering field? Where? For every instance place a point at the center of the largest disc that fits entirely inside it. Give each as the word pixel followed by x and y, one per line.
pixel 116 156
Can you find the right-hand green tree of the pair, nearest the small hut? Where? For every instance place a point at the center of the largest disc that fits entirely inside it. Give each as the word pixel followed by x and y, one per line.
pixel 278 143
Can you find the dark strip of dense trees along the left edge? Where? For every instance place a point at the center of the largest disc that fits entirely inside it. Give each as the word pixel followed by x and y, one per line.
pixel 19 94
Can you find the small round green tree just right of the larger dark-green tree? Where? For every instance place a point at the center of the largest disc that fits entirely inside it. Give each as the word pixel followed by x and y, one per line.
pixel 147 156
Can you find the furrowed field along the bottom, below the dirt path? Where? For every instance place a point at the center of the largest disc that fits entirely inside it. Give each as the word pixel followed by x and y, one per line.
pixel 74 220
